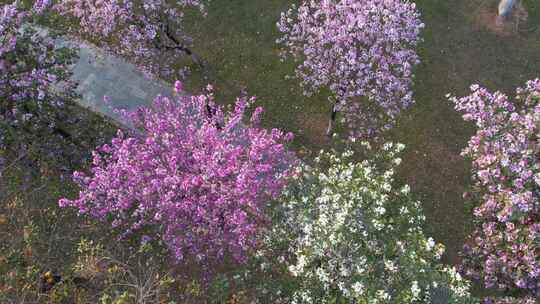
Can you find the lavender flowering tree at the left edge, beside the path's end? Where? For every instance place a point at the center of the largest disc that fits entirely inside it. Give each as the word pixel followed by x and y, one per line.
pixel 29 66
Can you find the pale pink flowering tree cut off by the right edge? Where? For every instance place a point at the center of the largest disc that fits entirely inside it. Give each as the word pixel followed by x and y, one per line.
pixel 504 250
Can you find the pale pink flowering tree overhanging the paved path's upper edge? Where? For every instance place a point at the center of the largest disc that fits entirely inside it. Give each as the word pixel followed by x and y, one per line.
pixel 149 33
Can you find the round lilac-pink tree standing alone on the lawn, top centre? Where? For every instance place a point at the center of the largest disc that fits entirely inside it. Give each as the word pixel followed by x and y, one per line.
pixel 361 51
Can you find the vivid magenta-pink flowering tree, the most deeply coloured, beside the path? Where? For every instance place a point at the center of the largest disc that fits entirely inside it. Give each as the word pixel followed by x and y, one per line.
pixel 192 175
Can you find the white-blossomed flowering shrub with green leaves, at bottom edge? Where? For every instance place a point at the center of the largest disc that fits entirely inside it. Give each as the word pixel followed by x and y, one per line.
pixel 353 236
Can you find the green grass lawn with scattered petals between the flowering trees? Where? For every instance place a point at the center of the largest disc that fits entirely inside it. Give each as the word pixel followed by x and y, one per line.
pixel 237 39
